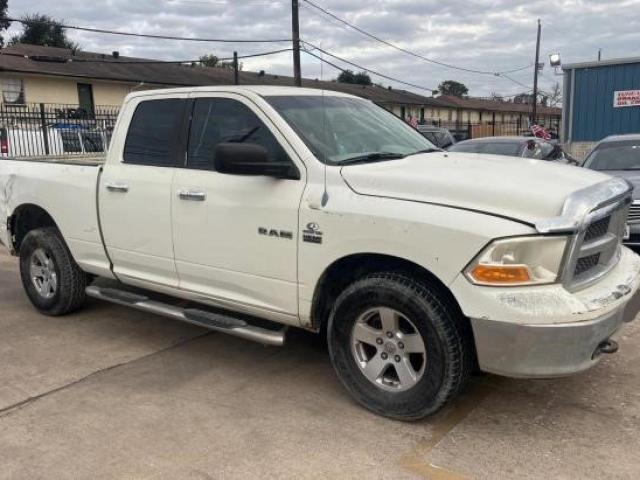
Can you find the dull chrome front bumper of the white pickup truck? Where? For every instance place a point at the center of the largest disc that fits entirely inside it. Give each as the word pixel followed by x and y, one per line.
pixel 547 350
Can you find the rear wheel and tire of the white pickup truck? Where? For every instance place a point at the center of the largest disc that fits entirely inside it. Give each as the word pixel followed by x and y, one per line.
pixel 50 276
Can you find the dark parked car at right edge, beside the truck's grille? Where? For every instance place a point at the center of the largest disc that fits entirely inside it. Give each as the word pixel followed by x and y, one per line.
pixel 619 155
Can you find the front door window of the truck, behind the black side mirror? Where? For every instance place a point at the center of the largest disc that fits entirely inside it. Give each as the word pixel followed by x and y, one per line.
pixel 221 120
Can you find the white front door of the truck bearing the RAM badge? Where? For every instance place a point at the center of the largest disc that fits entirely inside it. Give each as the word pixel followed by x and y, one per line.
pixel 235 236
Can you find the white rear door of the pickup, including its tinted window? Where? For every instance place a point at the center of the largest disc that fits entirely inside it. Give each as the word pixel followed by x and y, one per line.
pixel 135 192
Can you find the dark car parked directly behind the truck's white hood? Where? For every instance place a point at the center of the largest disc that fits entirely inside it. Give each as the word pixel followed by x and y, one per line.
pixel 526 147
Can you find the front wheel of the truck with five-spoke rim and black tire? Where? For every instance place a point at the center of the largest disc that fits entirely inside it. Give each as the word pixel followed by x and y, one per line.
pixel 435 374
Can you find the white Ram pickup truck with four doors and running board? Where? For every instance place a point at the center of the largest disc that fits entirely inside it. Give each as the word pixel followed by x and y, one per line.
pixel 322 211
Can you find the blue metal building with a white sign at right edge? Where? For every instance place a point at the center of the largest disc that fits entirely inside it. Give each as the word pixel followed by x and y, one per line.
pixel 600 99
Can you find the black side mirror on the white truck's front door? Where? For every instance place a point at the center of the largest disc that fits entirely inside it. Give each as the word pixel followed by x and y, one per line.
pixel 250 159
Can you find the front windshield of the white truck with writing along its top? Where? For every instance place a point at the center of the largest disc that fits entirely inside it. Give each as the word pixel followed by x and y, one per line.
pixel 344 130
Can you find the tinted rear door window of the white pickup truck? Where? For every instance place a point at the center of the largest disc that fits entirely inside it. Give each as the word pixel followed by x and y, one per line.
pixel 152 133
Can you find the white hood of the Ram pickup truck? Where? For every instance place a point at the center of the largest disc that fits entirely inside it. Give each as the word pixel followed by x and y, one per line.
pixel 522 189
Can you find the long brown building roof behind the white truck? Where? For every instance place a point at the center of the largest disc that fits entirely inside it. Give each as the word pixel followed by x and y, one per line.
pixel 36 59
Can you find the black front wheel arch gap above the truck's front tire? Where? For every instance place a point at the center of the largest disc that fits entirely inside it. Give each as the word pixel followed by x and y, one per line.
pixel 345 270
